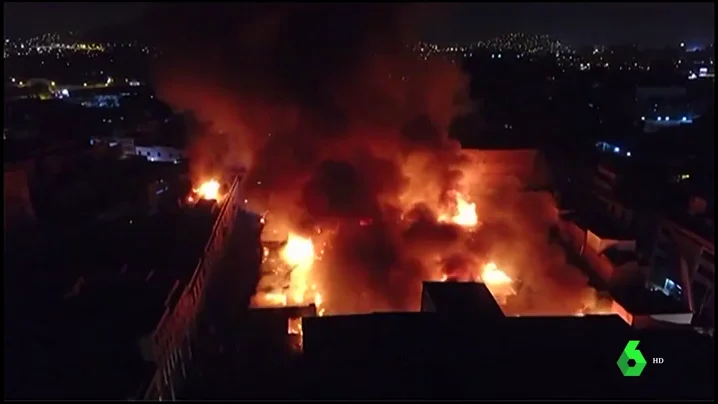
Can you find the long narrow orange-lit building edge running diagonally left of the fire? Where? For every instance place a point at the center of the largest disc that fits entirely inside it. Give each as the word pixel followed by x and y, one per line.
pixel 178 319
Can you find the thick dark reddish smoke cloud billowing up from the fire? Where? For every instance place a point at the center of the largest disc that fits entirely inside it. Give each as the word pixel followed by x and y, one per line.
pixel 338 122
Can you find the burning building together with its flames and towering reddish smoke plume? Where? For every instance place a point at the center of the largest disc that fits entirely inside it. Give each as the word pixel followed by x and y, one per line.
pixel 365 195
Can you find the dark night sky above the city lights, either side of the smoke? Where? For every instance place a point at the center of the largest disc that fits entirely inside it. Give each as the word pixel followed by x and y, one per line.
pixel 579 23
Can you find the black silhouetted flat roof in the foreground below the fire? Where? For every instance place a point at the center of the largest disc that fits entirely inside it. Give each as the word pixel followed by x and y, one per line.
pixel 425 355
